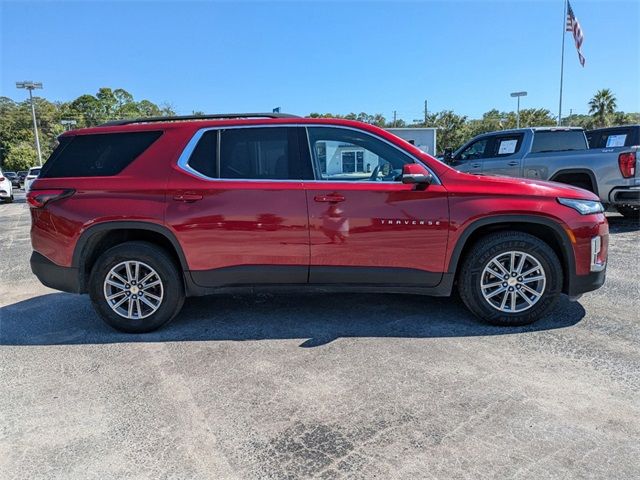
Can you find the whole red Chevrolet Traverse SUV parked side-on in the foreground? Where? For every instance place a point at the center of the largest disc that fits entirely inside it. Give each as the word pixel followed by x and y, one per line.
pixel 140 214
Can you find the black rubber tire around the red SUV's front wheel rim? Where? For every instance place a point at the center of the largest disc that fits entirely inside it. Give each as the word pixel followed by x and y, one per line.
pixel 481 254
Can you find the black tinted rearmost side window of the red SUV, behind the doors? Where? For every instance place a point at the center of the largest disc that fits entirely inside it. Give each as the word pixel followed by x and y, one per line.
pixel 96 155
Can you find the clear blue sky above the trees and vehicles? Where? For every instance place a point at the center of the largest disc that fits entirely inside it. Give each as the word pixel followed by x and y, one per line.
pixel 313 56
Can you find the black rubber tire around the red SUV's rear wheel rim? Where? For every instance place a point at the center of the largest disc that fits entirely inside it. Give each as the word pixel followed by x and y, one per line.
pixel 156 258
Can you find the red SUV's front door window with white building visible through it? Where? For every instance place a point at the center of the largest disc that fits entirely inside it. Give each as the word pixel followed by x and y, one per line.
pixel 348 155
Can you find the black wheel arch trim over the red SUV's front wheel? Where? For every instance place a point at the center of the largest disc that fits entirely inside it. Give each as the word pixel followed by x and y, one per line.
pixel 556 227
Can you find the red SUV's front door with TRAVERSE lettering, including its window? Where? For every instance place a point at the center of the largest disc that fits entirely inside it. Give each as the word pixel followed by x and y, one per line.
pixel 366 226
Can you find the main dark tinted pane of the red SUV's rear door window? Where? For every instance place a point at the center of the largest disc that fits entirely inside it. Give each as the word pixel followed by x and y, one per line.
pixel 260 153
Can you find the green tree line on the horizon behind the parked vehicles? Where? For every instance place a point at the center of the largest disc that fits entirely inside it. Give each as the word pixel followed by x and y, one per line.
pixel 17 151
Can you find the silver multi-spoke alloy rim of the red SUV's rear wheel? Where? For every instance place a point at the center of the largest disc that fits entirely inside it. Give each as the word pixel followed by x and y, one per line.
pixel 133 290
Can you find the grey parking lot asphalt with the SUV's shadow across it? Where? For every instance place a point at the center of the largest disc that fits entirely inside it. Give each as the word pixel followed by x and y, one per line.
pixel 318 386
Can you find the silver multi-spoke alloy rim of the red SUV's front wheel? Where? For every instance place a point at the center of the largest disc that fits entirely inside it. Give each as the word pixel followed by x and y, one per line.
pixel 513 282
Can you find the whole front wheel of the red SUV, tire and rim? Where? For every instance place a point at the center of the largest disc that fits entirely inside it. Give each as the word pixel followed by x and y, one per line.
pixel 510 278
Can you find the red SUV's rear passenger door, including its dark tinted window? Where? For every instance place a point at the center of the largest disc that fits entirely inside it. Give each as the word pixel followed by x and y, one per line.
pixel 237 205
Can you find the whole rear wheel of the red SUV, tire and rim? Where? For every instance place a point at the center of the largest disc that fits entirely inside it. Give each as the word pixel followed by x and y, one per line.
pixel 135 287
